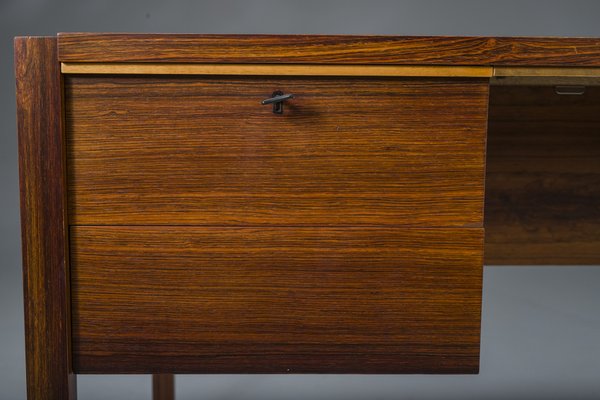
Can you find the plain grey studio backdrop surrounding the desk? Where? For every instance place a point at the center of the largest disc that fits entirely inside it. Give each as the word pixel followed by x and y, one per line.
pixel 541 325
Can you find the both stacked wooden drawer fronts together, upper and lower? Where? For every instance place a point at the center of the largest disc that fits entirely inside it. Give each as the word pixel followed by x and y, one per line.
pixel 208 234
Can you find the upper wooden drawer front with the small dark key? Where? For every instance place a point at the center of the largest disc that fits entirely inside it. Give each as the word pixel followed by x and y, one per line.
pixel 203 150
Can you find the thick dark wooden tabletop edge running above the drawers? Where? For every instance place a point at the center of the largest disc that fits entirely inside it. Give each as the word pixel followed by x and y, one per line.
pixel 322 49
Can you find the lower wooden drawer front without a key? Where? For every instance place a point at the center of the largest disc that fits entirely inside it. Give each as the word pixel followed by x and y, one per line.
pixel 233 300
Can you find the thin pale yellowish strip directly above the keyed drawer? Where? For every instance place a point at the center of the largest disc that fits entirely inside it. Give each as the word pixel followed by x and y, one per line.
pixel 277 69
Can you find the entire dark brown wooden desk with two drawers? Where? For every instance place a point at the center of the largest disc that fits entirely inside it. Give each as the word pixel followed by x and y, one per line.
pixel 173 224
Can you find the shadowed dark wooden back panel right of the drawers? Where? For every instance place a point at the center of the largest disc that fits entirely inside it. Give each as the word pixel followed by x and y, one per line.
pixel 543 177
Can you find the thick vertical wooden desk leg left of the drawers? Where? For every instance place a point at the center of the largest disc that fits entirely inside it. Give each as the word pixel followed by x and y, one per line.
pixel 43 220
